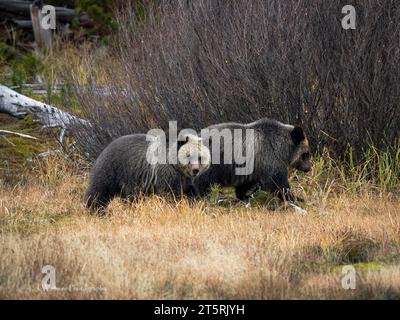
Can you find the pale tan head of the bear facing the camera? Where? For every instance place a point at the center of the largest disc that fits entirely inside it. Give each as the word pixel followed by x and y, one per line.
pixel 193 157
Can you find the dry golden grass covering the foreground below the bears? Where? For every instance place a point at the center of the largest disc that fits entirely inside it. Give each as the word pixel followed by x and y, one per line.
pixel 165 250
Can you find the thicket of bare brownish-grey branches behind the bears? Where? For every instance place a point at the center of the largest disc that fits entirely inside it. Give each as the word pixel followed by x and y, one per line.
pixel 208 61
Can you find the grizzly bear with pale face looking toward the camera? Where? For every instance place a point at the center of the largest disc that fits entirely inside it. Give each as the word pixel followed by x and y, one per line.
pixel 130 166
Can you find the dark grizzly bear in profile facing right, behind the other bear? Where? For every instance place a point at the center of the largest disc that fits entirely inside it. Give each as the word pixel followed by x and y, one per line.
pixel 275 149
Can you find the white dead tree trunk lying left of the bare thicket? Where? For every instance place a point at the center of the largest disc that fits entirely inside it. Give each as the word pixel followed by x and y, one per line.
pixel 18 105
